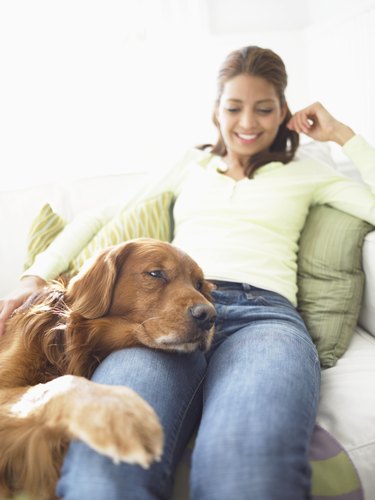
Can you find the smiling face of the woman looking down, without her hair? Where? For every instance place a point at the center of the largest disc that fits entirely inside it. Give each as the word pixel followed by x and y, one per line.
pixel 249 115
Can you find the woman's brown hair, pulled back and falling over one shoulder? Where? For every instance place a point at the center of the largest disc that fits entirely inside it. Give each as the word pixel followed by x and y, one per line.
pixel 264 63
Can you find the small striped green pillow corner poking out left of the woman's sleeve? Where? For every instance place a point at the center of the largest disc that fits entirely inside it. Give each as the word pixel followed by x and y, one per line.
pixel 44 229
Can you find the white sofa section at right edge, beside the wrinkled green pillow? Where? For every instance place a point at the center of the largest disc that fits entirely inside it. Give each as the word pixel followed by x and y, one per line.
pixel 367 314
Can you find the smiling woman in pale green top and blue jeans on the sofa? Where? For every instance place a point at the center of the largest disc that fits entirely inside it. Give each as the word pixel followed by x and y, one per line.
pixel 239 211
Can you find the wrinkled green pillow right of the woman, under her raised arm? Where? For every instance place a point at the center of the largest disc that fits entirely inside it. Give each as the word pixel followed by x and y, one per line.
pixel 330 279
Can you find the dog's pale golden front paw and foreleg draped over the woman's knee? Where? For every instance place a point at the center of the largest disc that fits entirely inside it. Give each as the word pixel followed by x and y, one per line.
pixel 113 420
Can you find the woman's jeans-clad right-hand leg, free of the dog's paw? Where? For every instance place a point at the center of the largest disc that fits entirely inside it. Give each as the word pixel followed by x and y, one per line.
pixel 260 401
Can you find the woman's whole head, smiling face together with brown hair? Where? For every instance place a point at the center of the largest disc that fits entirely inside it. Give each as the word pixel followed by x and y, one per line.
pixel 251 113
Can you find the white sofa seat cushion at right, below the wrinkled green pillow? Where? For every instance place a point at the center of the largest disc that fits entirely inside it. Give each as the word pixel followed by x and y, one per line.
pixel 347 405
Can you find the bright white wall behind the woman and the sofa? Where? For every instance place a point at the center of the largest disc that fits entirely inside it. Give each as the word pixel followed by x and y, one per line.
pixel 105 86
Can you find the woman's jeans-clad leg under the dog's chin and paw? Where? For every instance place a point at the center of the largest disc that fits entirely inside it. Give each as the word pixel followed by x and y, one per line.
pixel 172 384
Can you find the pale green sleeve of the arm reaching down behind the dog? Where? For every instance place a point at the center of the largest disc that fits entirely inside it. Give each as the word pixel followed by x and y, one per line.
pixel 67 245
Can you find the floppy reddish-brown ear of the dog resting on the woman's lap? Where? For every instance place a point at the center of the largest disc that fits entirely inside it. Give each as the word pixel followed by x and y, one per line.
pixel 89 293
